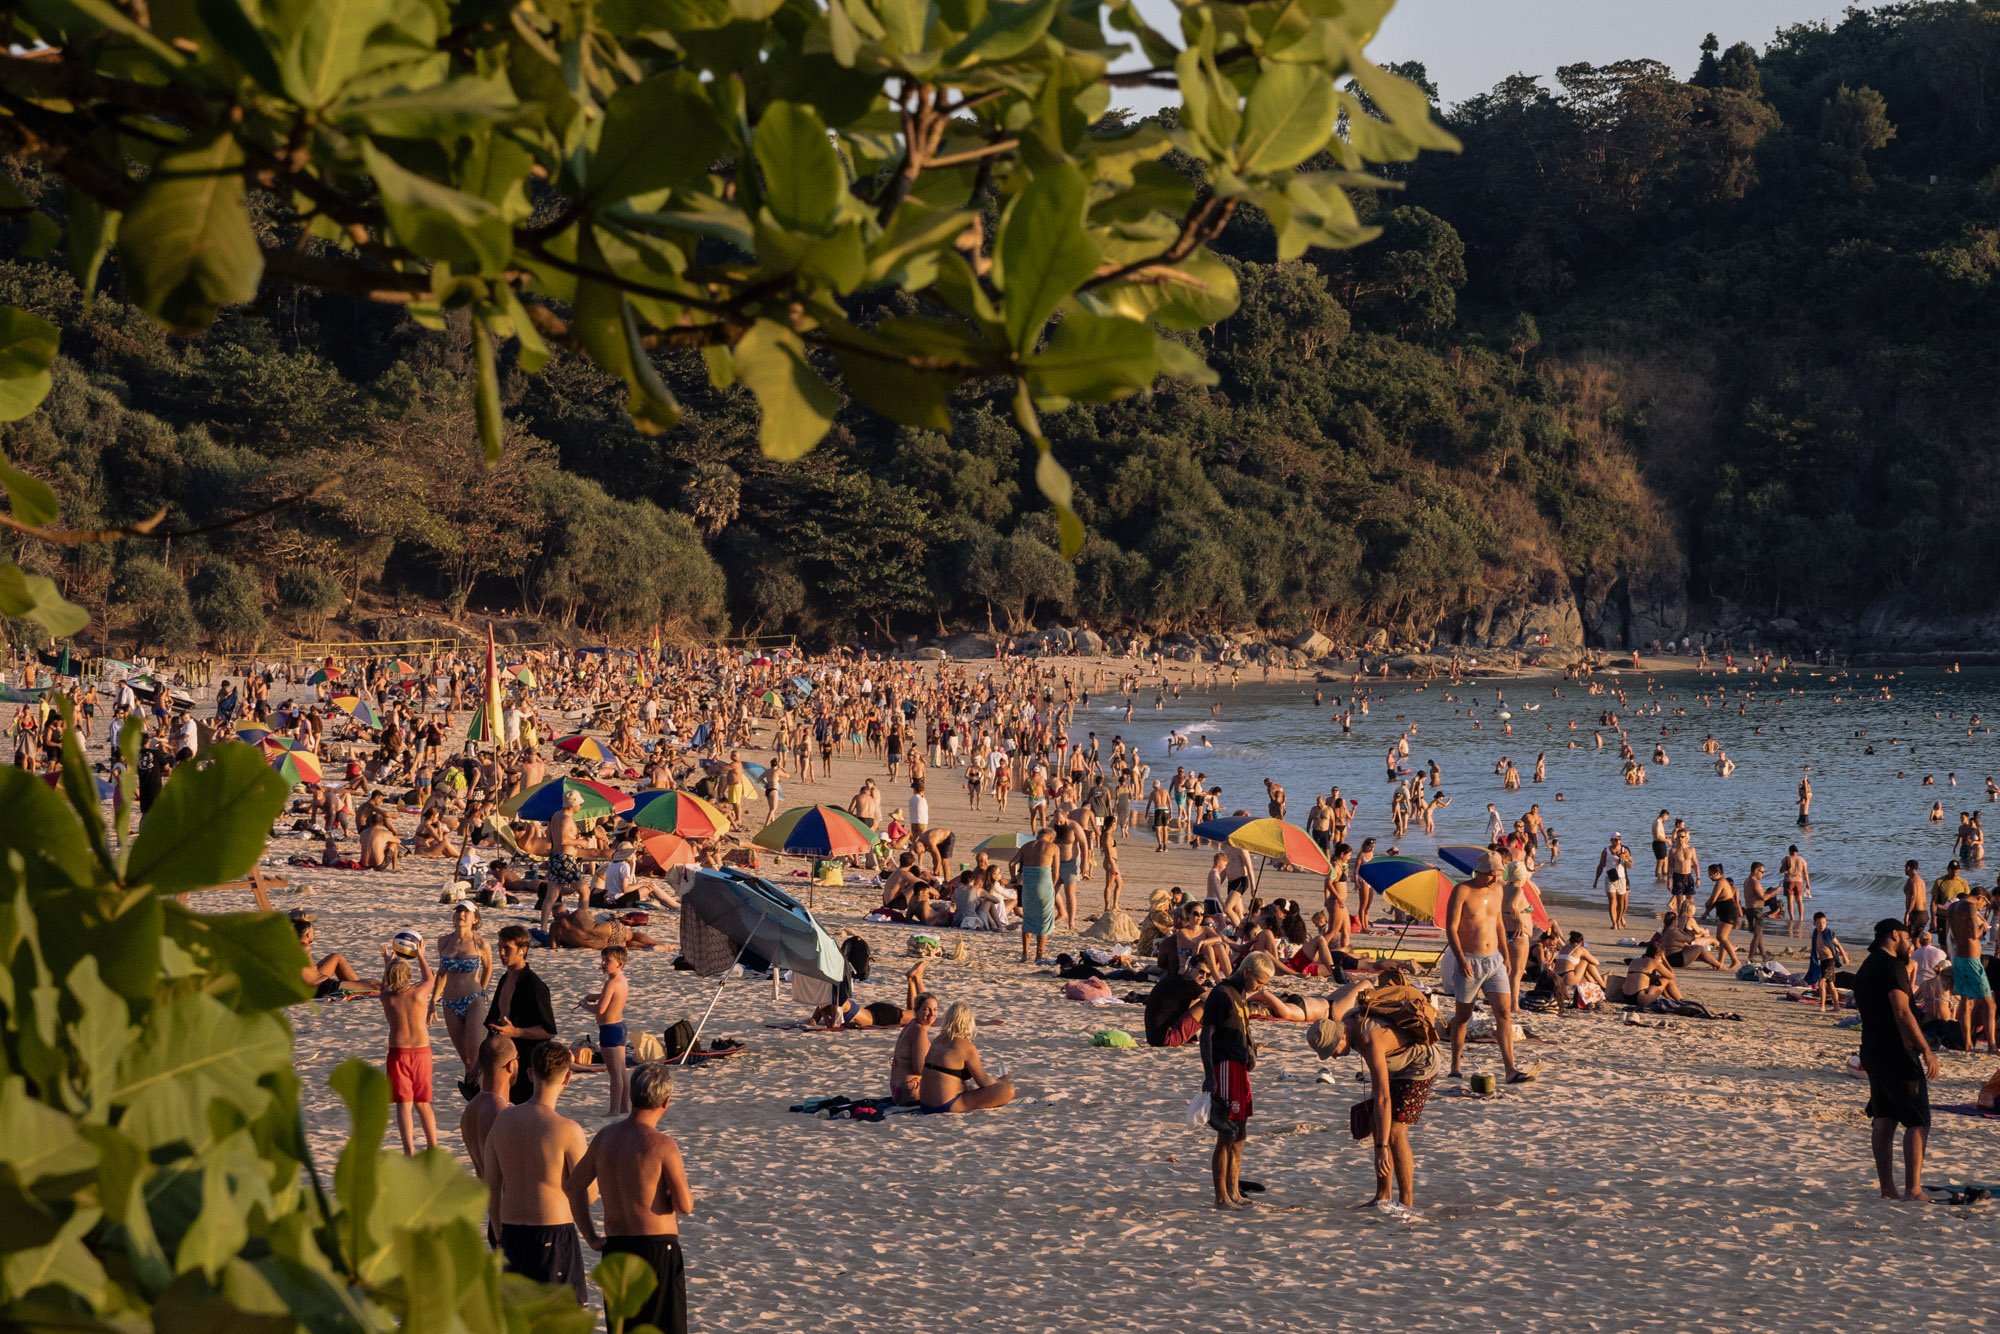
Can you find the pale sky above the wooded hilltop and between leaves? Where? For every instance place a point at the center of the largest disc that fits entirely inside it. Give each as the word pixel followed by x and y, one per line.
pixel 1473 45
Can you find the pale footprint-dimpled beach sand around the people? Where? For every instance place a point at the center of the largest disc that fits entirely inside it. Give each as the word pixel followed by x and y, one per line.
pixel 1705 1175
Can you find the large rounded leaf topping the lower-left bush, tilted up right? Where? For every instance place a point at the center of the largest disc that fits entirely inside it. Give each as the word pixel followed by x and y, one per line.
pixel 211 821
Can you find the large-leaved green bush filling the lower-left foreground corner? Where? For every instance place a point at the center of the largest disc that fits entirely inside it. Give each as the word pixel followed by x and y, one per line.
pixel 157 1171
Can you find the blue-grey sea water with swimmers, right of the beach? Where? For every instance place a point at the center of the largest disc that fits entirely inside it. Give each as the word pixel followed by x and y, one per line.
pixel 1869 815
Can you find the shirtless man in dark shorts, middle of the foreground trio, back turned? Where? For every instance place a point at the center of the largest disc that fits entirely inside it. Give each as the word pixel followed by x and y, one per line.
pixel 531 1151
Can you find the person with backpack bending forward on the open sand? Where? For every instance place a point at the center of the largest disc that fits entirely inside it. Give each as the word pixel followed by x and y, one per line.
pixel 1395 1031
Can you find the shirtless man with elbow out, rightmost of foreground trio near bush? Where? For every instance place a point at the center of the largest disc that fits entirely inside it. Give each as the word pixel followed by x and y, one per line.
pixel 645 1187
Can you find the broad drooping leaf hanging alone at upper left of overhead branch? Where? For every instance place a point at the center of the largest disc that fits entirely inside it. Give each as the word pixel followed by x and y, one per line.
pixel 187 247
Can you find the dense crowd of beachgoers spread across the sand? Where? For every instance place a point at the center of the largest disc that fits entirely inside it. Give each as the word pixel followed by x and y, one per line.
pixel 1213 959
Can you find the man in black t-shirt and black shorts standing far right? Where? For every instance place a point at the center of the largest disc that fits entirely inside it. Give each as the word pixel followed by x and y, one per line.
pixel 1897 1059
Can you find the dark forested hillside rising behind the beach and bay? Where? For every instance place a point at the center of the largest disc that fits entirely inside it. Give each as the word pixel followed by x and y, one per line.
pixel 1647 345
